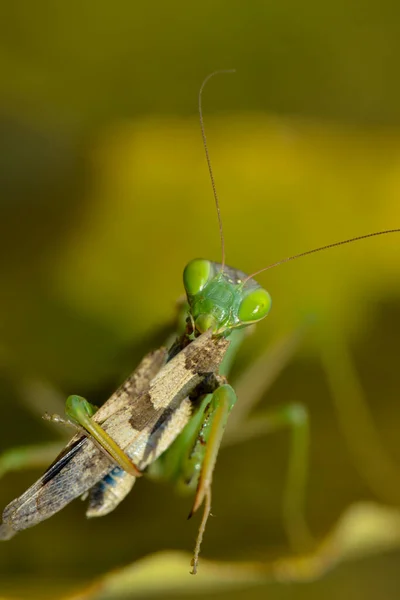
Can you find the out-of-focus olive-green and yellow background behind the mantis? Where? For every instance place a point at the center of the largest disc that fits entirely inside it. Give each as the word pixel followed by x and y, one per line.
pixel 104 197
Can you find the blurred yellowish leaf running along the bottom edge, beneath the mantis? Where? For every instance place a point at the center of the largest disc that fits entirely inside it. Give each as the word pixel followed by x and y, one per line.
pixel 364 529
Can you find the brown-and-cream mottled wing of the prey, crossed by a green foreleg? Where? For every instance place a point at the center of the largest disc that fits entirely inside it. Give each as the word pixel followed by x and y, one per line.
pixel 144 427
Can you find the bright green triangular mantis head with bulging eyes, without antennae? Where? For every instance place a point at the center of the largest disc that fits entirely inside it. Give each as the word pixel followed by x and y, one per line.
pixel 223 298
